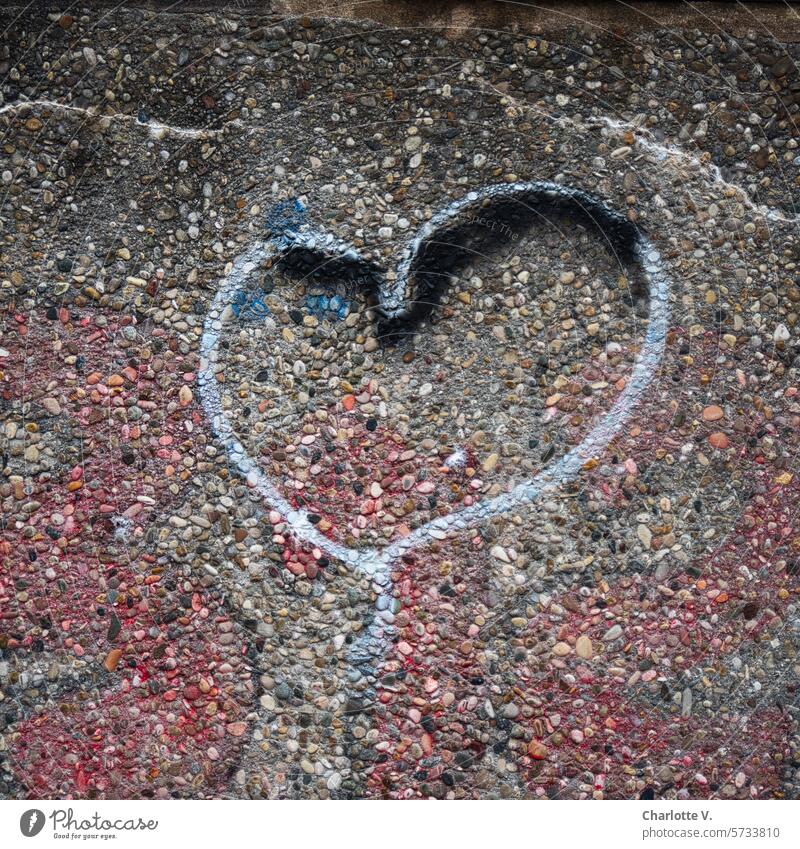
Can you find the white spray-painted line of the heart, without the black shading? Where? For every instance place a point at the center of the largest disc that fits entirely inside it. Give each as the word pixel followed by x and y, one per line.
pixel 373 562
